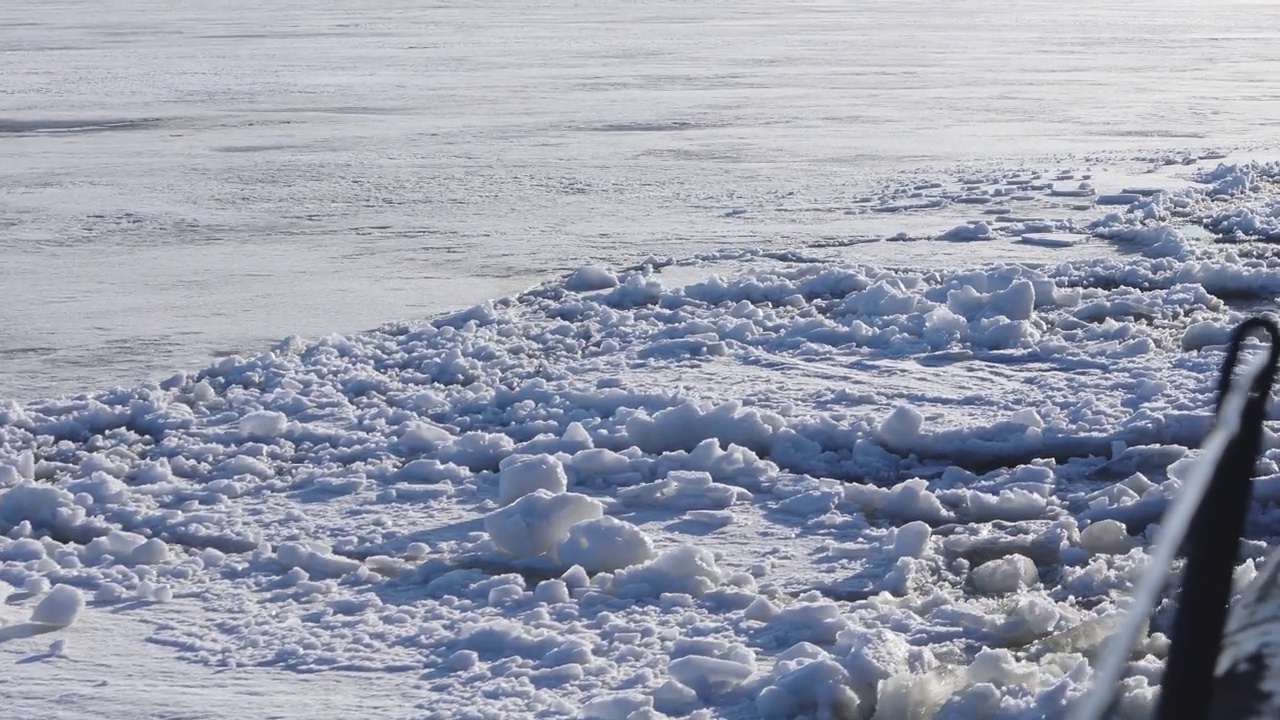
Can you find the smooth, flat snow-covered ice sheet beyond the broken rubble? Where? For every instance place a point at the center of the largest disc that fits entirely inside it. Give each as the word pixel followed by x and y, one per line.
pixel 200 179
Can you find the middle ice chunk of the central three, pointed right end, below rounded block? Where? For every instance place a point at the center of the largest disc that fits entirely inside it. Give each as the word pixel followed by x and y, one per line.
pixel 536 523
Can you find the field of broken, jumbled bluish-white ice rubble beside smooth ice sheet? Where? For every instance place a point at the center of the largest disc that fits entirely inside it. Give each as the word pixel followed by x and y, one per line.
pixel 742 485
